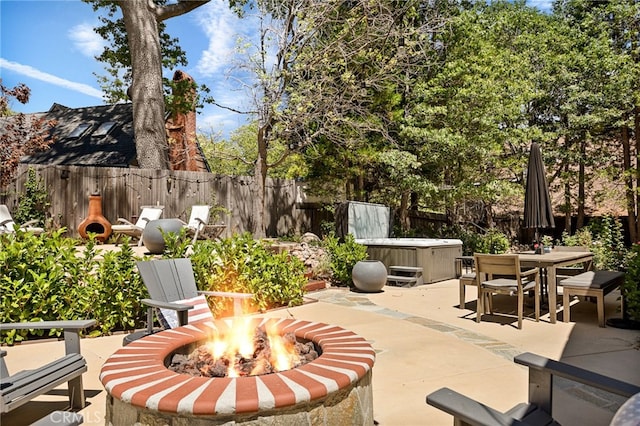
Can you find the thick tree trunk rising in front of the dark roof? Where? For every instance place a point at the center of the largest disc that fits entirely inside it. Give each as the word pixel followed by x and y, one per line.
pixel 147 91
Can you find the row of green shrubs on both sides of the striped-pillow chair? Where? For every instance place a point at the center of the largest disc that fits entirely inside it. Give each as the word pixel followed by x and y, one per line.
pixel 47 278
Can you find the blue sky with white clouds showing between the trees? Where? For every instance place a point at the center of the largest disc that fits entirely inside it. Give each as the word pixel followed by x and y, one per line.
pixel 49 45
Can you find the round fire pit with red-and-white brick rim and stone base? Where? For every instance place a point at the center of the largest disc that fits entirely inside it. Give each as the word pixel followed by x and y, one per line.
pixel 335 388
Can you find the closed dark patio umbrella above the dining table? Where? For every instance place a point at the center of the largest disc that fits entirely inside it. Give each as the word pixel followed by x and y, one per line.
pixel 538 212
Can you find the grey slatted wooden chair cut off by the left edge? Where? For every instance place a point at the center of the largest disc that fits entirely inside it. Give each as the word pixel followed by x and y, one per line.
pixel 20 388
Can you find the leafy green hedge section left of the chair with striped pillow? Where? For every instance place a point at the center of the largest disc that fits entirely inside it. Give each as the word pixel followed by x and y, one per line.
pixel 46 278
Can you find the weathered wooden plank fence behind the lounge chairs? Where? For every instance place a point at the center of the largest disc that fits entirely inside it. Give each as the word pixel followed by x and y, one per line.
pixel 124 191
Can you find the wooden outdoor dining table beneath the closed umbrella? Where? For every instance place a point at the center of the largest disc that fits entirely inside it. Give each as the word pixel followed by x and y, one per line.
pixel 550 262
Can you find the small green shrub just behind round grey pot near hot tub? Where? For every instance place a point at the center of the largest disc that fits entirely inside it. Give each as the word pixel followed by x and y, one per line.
pixel 343 256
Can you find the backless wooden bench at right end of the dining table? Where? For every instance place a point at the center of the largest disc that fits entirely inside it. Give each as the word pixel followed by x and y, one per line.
pixel 590 284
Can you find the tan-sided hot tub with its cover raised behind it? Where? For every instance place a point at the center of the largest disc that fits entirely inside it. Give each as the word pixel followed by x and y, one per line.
pixel 436 257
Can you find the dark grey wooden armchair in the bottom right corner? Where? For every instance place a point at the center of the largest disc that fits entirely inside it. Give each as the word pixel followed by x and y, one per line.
pixel 539 408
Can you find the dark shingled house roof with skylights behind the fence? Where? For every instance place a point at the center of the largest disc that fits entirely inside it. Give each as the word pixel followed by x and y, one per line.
pixel 91 136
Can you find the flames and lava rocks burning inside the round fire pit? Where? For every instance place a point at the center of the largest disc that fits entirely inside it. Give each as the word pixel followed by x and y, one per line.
pixel 245 352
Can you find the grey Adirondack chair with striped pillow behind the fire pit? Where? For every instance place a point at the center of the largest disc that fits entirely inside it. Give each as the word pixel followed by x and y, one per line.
pixel 175 297
